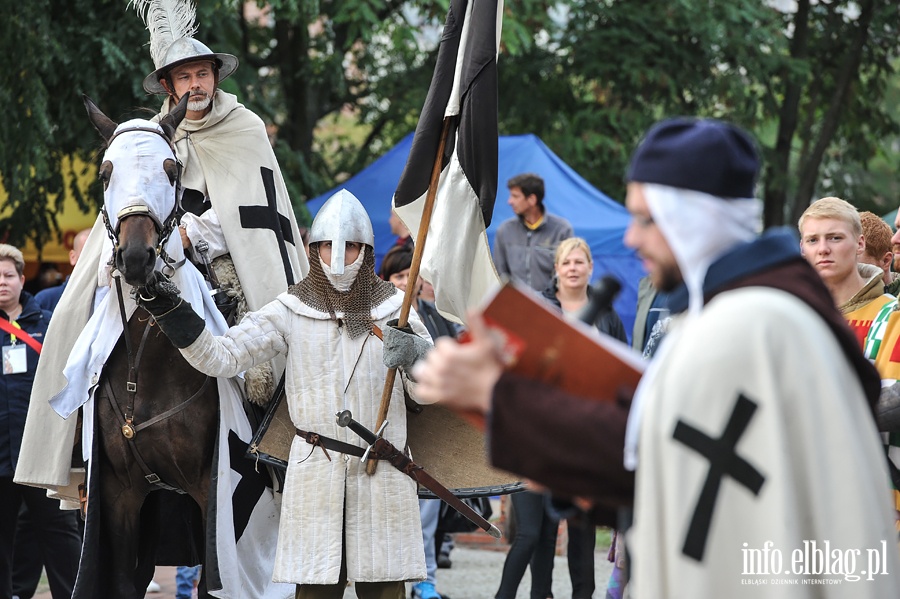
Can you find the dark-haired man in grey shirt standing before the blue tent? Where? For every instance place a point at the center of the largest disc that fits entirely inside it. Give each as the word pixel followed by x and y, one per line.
pixel 525 245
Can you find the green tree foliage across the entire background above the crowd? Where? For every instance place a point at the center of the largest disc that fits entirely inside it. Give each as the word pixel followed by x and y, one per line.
pixel 588 76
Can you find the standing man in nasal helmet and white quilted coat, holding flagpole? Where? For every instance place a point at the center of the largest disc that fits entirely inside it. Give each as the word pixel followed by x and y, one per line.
pixel 338 522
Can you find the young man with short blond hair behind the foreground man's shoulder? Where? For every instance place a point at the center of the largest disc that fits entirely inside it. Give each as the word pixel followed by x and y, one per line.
pixel 831 240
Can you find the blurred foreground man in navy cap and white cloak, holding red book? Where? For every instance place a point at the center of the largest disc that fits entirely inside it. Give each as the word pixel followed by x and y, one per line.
pixel 735 446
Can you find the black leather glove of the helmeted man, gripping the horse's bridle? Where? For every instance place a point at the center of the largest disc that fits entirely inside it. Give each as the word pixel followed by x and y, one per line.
pixel 177 319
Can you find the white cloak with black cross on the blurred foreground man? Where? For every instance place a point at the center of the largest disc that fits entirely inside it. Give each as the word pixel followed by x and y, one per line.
pixel 756 435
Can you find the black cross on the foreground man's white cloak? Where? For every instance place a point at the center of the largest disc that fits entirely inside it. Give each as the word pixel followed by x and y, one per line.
pixel 723 461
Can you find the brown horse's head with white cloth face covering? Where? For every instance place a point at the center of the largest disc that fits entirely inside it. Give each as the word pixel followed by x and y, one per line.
pixel 140 175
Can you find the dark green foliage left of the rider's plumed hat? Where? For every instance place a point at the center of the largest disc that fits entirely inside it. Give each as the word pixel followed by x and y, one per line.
pixel 52 51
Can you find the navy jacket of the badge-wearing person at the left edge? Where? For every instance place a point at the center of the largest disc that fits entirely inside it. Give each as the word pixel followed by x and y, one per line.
pixel 15 389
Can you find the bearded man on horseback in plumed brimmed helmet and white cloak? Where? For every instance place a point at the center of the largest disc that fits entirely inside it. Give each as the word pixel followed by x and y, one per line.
pixel 233 193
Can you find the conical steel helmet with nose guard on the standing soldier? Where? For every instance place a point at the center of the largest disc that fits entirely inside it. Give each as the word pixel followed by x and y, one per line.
pixel 341 219
